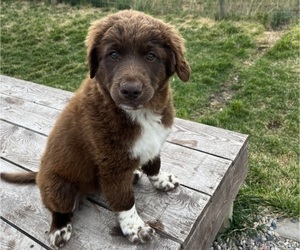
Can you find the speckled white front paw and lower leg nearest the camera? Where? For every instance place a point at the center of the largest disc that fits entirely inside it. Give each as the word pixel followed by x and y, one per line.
pixel 134 228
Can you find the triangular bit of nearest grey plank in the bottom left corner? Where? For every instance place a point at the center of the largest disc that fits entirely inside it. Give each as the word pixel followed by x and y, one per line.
pixel 11 238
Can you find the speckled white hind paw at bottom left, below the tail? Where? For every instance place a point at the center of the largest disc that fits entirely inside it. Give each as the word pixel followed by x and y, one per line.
pixel 60 237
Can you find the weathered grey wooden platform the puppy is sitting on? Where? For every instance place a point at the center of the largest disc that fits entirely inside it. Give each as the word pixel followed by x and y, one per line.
pixel 210 162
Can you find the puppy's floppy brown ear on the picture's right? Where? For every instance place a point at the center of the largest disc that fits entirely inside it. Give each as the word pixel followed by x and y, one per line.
pixel 177 62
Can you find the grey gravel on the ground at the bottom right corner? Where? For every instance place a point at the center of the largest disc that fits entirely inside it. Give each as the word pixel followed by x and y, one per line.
pixel 265 239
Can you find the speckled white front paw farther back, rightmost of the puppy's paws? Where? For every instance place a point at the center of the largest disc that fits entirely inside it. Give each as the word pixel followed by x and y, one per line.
pixel 164 181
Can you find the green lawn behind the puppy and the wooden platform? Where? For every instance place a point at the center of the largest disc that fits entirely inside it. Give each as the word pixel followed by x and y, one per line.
pixel 244 78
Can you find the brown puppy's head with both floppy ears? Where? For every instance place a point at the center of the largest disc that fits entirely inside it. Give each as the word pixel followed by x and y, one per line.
pixel 132 56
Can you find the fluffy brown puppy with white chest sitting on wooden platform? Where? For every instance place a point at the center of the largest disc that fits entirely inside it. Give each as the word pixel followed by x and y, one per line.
pixel 115 123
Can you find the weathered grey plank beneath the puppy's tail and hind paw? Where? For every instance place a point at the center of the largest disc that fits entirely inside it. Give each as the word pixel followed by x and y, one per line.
pixel 94 226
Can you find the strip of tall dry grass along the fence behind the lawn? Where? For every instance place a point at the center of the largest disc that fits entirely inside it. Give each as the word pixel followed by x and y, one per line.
pixel 275 12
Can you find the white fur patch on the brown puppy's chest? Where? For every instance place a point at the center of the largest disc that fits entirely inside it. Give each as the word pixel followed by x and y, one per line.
pixel 152 137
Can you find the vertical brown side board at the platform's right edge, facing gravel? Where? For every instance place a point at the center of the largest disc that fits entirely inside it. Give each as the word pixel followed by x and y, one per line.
pixel 212 217
